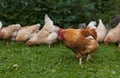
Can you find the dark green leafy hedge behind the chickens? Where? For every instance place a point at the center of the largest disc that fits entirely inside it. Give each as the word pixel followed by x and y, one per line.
pixel 65 13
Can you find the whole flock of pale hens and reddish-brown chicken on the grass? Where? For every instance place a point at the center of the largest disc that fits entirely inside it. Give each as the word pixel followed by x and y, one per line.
pixel 82 41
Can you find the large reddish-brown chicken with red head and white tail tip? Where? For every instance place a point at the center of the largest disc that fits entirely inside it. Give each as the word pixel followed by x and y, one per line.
pixel 80 41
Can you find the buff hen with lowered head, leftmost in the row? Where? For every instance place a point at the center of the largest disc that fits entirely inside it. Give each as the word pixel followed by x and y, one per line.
pixel 10 31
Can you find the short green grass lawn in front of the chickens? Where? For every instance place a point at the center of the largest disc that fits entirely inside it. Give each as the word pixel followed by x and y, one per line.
pixel 56 62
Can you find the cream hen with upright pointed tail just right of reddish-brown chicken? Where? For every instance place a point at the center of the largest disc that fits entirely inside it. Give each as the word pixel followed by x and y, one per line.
pixel 101 31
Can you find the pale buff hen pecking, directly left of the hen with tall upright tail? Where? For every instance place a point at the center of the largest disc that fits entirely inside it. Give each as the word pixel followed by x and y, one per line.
pixel 26 32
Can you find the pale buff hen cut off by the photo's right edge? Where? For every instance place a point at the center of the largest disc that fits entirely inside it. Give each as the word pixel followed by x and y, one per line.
pixel 113 36
